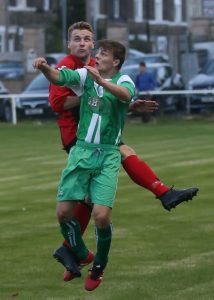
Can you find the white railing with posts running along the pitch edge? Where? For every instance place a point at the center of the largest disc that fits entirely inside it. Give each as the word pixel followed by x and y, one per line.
pixel 13 98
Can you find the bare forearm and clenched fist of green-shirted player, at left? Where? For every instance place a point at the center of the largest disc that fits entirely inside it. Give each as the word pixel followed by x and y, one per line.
pixel 50 73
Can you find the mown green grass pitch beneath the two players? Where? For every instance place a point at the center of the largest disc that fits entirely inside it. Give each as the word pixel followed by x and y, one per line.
pixel 155 255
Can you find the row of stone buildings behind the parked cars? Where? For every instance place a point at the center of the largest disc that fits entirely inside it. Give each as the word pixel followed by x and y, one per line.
pixel 171 27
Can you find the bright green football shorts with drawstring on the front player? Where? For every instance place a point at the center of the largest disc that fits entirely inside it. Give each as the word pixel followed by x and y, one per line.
pixel 91 170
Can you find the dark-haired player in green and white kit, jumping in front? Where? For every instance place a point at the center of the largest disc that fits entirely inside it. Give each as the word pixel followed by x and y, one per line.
pixel 94 162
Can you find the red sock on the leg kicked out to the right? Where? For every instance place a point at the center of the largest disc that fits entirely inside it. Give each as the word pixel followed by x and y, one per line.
pixel 143 175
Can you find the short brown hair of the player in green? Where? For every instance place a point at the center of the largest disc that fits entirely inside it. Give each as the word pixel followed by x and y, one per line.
pixel 118 50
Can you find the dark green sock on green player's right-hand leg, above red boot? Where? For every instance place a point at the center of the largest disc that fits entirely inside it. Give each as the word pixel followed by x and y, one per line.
pixel 103 237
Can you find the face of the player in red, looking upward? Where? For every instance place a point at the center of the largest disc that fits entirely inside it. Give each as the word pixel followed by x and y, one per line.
pixel 81 43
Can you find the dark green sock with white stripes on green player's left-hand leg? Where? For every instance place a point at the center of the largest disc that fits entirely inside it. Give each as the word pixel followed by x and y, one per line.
pixel 72 233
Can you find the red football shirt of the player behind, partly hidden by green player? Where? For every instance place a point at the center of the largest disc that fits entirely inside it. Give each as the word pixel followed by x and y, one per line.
pixel 67 119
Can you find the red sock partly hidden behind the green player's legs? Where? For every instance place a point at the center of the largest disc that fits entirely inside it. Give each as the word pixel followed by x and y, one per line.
pixel 82 213
